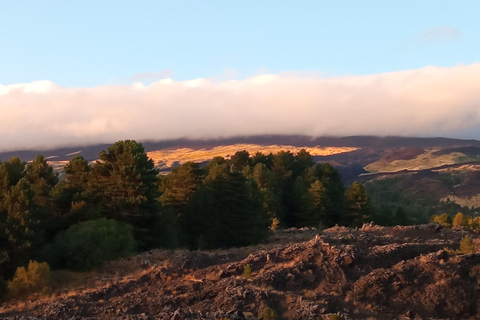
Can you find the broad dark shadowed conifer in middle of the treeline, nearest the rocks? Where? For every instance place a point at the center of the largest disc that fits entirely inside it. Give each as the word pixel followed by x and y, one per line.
pixel 225 212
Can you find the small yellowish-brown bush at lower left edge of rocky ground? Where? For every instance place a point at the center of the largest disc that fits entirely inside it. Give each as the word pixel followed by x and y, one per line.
pixel 36 278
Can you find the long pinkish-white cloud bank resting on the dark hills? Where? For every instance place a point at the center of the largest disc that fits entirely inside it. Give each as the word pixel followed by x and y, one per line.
pixel 427 102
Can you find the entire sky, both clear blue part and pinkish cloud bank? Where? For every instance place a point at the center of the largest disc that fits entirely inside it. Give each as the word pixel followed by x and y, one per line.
pixel 82 72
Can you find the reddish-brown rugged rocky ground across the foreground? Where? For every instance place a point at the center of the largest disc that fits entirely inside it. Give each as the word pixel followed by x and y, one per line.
pixel 340 273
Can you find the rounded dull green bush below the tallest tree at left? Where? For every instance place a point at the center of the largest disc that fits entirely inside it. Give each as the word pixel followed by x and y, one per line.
pixel 88 244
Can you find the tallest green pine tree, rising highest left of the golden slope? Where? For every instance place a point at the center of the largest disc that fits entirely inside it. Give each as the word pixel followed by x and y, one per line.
pixel 126 181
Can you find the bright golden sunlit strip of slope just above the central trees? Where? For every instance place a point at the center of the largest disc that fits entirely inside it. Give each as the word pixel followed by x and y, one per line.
pixel 165 158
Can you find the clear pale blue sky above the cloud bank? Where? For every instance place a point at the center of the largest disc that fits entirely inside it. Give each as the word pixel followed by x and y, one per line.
pixel 89 43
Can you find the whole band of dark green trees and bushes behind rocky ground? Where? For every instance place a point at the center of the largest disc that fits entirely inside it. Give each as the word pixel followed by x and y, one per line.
pixel 120 204
